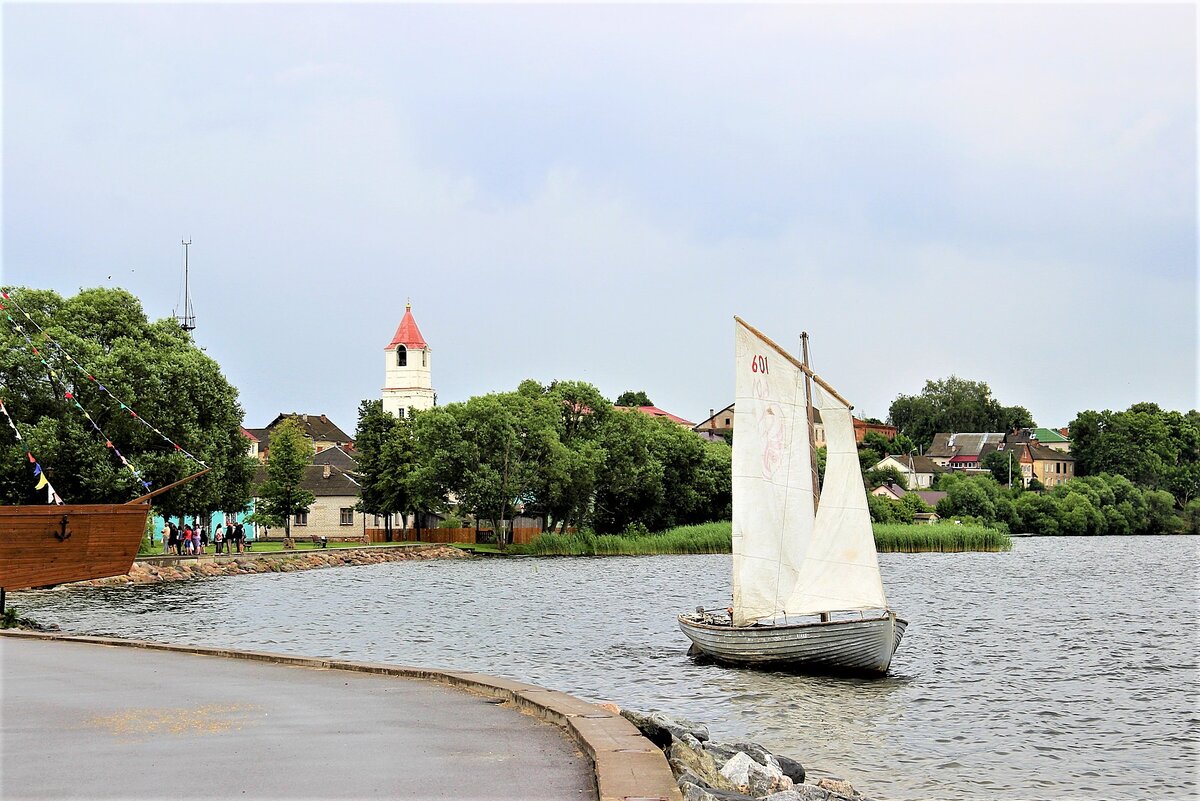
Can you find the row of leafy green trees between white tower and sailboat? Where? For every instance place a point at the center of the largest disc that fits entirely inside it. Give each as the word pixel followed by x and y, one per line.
pixel 560 451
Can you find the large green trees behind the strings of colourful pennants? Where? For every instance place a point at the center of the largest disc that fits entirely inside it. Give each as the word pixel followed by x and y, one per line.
pixel 152 368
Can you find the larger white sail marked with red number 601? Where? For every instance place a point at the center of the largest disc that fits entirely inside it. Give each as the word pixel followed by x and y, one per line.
pixel 772 479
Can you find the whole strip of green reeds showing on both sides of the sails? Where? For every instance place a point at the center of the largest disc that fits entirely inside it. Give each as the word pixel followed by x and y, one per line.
pixel 718 539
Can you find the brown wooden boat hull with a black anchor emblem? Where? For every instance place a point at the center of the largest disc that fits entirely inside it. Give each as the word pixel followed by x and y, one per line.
pixel 55 545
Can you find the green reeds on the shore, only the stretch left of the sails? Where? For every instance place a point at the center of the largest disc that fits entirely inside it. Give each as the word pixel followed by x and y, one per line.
pixel 705 539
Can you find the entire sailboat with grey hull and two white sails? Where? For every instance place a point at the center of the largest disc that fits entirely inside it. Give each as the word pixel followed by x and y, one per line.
pixel 807 588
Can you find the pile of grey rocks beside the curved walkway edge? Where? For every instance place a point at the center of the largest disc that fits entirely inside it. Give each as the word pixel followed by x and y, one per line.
pixel 733 772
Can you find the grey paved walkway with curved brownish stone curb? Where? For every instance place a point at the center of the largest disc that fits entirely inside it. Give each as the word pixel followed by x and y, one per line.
pixel 83 721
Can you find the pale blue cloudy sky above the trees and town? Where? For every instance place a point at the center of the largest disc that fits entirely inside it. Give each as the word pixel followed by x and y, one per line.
pixel 1006 194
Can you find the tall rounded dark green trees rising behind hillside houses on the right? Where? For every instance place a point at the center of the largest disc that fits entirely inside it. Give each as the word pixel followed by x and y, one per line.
pixel 955 405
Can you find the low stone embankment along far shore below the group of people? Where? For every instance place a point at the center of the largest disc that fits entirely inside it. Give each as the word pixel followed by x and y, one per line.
pixel 152 573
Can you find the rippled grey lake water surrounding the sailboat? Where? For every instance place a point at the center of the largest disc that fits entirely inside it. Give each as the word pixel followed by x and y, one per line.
pixel 1065 670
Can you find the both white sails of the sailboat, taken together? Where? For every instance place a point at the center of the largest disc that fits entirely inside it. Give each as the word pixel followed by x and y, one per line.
pixel 790 559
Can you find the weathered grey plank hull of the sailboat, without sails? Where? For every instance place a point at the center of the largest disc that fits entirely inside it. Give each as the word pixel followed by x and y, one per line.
pixel 854 646
